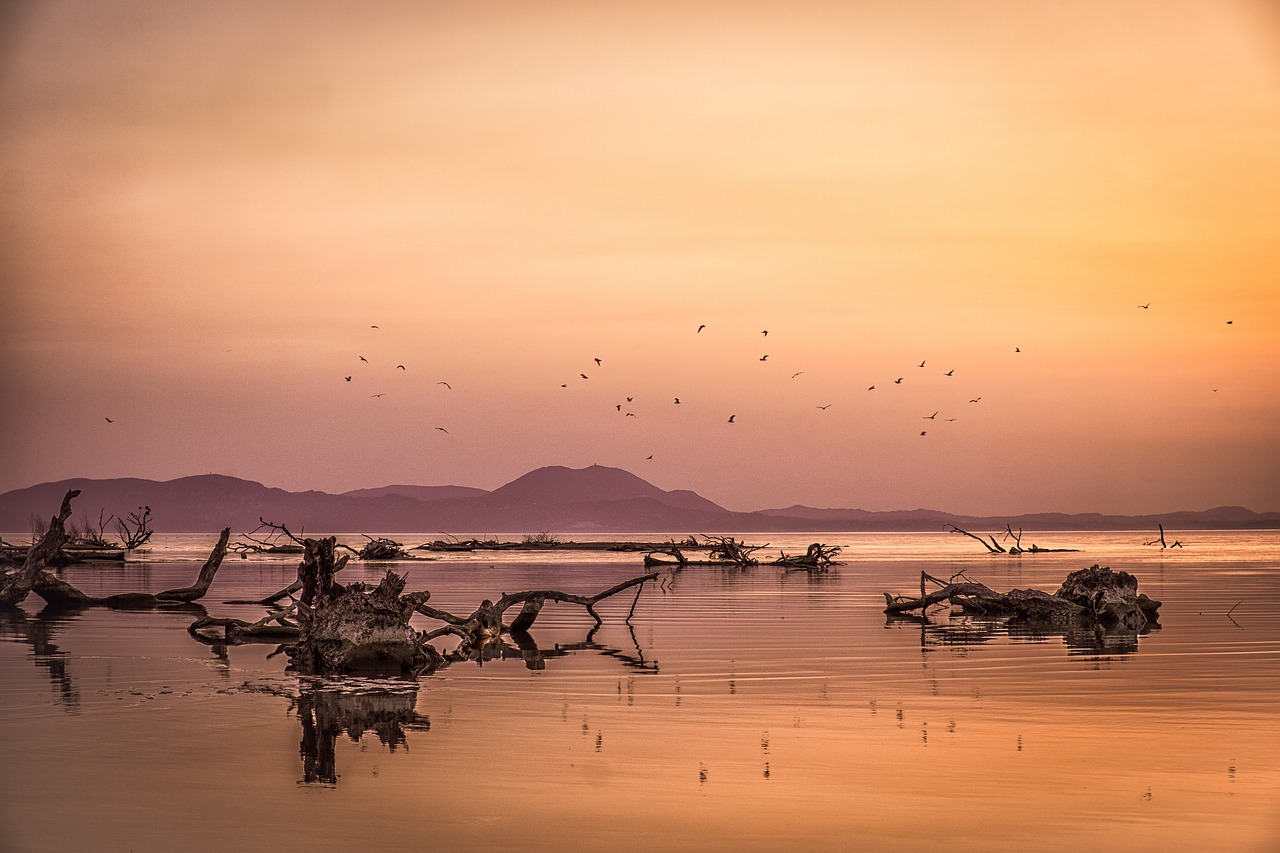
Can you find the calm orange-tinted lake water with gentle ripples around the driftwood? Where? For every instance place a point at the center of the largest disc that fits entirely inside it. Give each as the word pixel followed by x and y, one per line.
pixel 742 711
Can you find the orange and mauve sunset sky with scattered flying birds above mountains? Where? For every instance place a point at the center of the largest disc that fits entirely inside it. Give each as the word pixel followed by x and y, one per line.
pixel 1048 234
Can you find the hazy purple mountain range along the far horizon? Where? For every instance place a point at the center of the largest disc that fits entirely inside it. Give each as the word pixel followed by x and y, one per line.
pixel 557 500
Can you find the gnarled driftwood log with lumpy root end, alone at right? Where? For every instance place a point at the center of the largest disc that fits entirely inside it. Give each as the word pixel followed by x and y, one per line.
pixel 1089 596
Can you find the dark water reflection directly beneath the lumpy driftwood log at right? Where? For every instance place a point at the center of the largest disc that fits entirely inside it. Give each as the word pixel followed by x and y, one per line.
pixel 970 631
